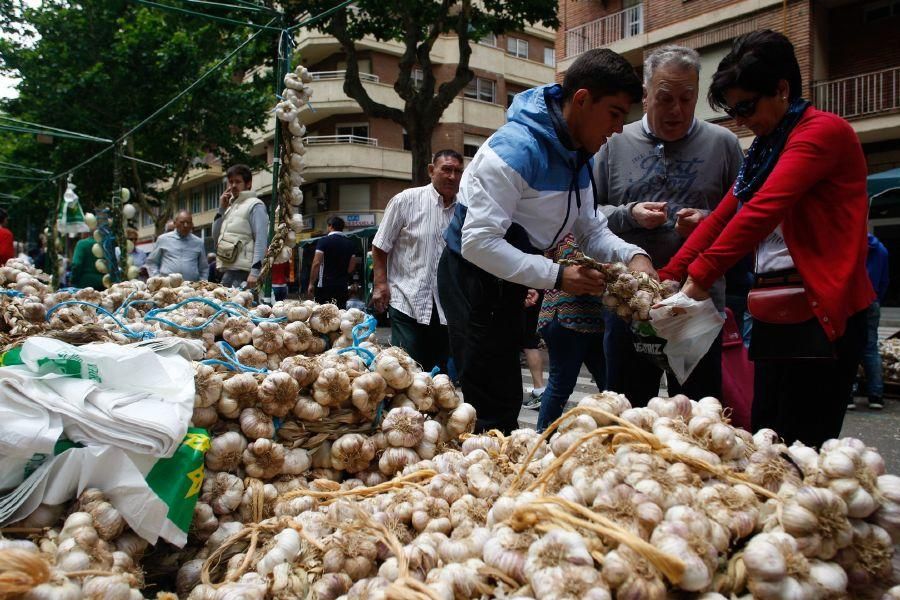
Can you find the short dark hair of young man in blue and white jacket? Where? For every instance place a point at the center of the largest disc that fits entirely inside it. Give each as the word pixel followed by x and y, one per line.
pixel 603 73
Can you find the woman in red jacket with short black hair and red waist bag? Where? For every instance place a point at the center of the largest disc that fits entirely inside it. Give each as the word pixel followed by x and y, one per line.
pixel 800 204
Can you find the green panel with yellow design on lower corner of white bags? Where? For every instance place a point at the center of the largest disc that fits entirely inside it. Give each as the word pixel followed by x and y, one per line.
pixel 177 480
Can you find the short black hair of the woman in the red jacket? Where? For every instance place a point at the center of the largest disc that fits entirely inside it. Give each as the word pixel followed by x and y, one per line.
pixel 756 63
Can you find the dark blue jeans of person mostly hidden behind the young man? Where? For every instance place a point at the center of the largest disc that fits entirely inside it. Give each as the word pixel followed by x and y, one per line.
pixel 568 350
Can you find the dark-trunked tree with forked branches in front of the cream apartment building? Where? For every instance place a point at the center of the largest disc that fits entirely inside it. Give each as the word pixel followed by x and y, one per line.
pixel 417 24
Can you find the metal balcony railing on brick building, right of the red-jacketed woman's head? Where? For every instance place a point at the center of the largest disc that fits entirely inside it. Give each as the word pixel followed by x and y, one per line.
pixel 860 95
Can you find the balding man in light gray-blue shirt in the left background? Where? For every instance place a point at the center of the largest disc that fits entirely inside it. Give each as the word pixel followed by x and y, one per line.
pixel 179 251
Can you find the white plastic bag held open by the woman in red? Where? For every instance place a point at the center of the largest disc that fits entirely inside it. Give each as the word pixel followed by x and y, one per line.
pixel 689 327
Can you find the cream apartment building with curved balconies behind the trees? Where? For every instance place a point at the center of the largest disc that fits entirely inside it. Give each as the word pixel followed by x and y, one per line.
pixel 355 163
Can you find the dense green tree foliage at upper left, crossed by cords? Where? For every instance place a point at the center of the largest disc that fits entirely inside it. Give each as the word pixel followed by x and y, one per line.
pixel 101 67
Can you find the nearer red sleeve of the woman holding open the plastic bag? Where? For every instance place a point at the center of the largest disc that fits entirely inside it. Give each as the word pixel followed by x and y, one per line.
pixel 808 157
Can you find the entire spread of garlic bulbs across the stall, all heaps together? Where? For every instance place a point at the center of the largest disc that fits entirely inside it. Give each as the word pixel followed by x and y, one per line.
pixel 329 478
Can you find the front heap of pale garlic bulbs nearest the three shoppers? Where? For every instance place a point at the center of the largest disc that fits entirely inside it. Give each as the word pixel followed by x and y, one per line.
pixel 618 502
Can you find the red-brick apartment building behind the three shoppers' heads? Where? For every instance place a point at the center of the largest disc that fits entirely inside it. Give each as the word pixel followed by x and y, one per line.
pixel 848 51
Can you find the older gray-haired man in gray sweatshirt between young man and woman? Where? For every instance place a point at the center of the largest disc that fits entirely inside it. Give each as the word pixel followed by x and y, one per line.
pixel 657 180
